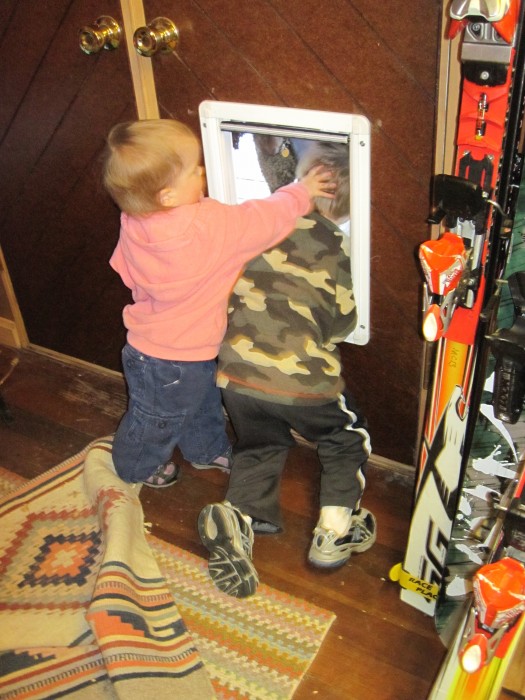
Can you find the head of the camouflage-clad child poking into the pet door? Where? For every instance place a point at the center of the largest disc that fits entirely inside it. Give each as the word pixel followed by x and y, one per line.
pixel 335 157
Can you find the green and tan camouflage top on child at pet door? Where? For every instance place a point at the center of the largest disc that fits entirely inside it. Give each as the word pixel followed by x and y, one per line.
pixel 291 306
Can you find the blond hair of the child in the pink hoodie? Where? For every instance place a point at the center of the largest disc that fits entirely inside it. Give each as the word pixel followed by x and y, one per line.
pixel 141 159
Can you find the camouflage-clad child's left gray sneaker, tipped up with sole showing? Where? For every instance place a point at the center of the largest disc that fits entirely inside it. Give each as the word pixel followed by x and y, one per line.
pixel 229 539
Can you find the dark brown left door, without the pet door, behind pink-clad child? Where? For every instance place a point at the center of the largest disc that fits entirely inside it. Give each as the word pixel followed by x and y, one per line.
pixel 57 226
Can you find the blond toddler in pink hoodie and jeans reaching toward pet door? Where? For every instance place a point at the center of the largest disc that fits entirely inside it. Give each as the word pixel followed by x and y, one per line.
pixel 180 254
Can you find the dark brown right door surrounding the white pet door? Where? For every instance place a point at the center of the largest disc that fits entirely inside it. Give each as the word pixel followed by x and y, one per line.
pixel 346 57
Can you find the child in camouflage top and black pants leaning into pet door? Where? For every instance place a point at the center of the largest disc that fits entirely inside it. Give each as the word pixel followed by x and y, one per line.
pixel 280 371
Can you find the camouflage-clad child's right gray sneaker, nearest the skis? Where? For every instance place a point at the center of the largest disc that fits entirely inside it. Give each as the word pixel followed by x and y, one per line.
pixel 328 550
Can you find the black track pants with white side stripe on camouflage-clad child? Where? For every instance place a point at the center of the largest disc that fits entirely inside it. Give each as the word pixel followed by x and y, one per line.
pixel 264 437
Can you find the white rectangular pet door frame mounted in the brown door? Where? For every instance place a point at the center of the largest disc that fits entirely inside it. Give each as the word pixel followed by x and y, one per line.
pixel 229 182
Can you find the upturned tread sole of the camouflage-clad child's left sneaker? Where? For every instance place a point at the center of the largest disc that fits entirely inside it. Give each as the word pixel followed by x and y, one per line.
pixel 232 572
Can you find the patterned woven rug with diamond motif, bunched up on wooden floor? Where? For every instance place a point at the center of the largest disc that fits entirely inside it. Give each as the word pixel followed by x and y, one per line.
pixel 92 607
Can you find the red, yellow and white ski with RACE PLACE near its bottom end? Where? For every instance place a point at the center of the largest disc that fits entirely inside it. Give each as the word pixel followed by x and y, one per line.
pixel 477 206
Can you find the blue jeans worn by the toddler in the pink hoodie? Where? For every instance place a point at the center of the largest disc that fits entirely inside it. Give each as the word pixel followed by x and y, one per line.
pixel 170 403
